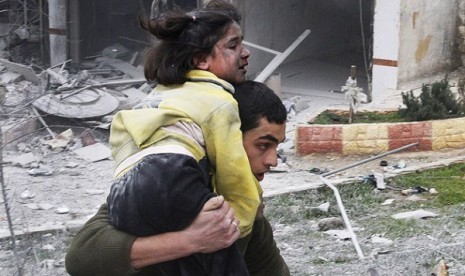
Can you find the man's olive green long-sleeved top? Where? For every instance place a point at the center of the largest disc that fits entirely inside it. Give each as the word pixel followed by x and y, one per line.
pixel 101 249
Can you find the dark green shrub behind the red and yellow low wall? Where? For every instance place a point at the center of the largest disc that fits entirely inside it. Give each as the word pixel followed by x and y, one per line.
pixel 436 101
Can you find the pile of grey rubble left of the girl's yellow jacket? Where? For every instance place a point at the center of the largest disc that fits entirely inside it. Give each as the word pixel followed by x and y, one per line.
pixel 90 96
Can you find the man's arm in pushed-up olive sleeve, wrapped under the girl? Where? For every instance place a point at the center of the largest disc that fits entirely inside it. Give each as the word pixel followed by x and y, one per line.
pixel 100 249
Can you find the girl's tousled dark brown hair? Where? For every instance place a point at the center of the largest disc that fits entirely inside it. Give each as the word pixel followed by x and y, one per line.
pixel 181 36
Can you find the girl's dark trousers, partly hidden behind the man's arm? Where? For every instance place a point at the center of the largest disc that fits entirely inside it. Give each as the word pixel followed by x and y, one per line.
pixel 164 193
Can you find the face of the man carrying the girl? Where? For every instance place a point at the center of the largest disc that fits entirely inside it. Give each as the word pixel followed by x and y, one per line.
pixel 261 145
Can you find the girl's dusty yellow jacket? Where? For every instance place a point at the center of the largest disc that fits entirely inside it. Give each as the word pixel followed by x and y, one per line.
pixel 206 101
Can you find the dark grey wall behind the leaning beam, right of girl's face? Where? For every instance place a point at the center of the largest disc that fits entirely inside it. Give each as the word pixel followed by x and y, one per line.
pixel 334 24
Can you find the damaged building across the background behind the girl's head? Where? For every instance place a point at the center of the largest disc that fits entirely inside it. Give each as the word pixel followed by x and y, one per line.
pixel 394 44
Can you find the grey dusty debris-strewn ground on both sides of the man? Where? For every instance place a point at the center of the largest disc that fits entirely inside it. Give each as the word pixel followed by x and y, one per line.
pixel 54 195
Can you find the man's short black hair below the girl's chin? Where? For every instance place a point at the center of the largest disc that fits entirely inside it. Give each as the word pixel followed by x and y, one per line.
pixel 257 101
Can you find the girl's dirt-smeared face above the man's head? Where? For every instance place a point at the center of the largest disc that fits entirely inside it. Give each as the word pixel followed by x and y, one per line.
pixel 229 57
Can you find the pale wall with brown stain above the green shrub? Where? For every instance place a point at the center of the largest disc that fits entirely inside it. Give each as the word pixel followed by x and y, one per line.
pixel 427 36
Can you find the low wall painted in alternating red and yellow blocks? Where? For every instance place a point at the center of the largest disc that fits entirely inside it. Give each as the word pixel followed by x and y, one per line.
pixel 364 139
